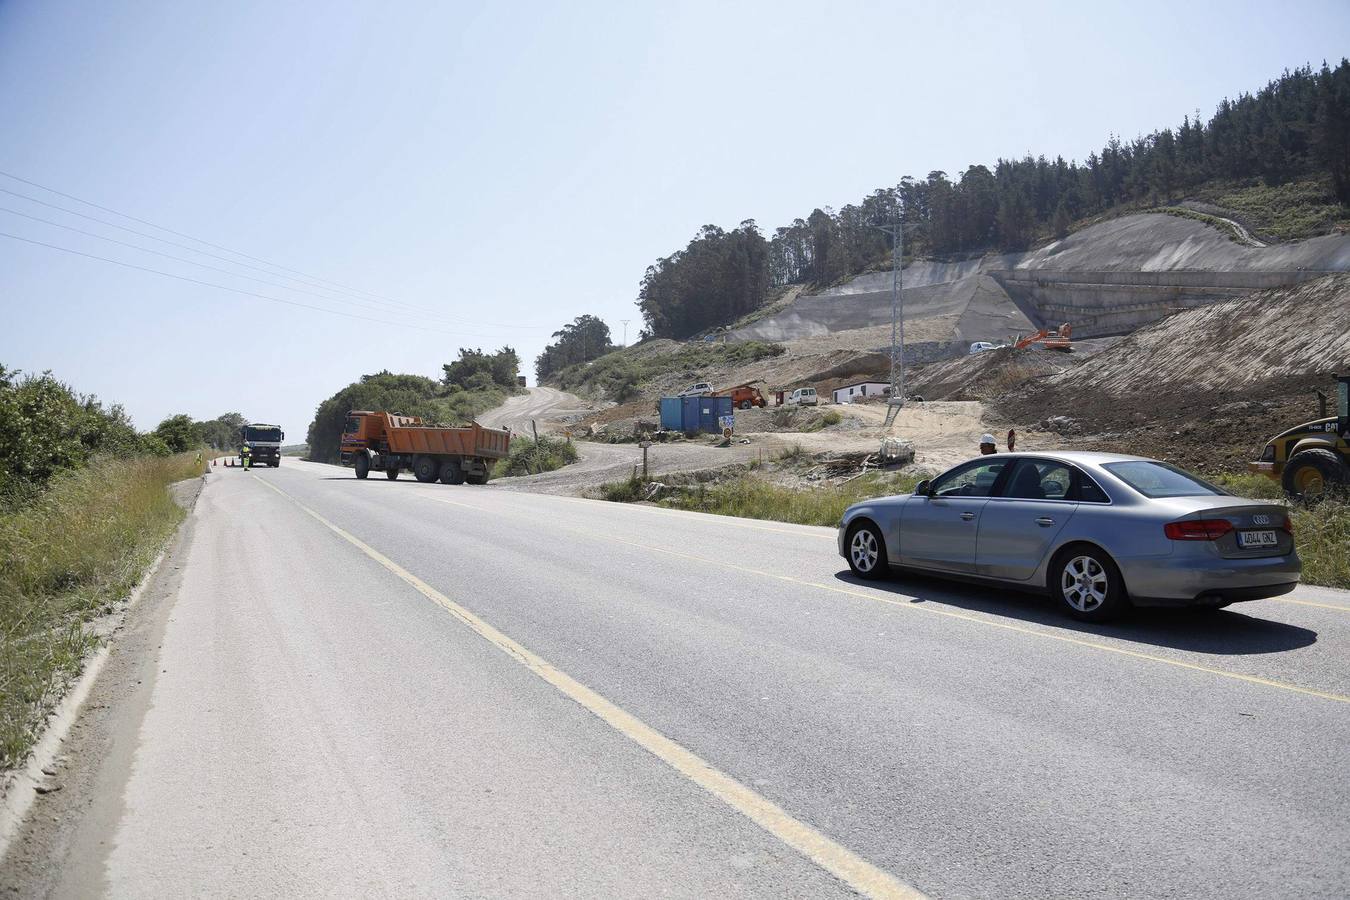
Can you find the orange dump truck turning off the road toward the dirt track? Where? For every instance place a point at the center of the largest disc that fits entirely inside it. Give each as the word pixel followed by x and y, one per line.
pixel 391 445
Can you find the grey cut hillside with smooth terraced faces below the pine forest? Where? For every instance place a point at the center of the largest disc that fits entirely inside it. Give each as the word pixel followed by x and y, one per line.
pixel 1109 279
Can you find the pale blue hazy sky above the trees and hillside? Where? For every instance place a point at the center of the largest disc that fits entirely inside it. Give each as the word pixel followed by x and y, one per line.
pixel 469 175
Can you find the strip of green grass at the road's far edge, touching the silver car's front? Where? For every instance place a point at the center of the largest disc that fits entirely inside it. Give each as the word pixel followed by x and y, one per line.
pixel 757 499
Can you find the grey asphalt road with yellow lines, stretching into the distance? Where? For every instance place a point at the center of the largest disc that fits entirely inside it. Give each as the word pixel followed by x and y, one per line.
pixel 400 689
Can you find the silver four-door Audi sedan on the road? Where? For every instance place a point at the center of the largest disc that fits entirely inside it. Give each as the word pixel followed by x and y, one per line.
pixel 1100 532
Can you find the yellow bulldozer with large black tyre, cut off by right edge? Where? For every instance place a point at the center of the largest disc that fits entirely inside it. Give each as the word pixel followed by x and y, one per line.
pixel 1314 458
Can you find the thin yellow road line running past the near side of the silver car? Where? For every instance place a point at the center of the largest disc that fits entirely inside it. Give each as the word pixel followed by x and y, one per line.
pixel 935 611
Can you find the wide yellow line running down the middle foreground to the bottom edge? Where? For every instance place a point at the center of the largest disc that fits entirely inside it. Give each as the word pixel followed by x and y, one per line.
pixel 846 866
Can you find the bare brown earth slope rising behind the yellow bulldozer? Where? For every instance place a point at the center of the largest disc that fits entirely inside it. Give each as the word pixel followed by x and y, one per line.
pixel 1204 388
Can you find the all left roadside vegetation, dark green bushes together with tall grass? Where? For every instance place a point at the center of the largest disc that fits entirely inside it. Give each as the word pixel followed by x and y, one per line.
pixel 84 509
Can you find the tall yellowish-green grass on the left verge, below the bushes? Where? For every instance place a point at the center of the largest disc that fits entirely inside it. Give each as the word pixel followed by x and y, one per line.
pixel 67 559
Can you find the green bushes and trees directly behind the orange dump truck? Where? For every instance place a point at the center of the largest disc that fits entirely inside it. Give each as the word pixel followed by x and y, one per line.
pixel 470 387
